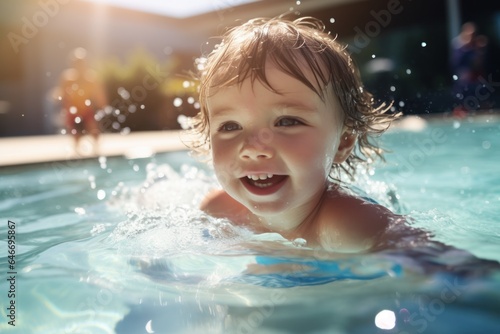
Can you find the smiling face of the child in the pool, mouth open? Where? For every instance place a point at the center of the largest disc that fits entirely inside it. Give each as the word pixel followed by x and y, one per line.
pixel 273 152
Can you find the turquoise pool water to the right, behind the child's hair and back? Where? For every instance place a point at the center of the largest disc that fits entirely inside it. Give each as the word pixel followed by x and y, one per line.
pixel 449 172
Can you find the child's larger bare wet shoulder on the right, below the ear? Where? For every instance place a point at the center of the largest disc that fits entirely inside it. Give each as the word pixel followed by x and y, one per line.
pixel 353 221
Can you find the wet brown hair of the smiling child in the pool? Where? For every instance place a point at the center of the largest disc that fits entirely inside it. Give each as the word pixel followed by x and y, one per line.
pixel 243 54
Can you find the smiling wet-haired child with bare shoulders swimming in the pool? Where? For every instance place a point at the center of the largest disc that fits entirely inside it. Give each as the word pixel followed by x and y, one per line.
pixel 283 111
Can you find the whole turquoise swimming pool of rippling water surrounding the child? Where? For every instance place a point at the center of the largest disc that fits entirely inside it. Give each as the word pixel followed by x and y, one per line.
pixel 117 246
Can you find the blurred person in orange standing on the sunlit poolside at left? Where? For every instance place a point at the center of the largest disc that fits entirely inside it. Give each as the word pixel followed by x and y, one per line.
pixel 81 94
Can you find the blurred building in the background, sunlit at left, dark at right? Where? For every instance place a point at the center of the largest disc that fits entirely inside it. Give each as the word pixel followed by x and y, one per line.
pixel 402 46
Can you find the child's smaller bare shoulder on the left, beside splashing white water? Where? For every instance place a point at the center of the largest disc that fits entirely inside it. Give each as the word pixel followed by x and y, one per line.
pixel 219 204
